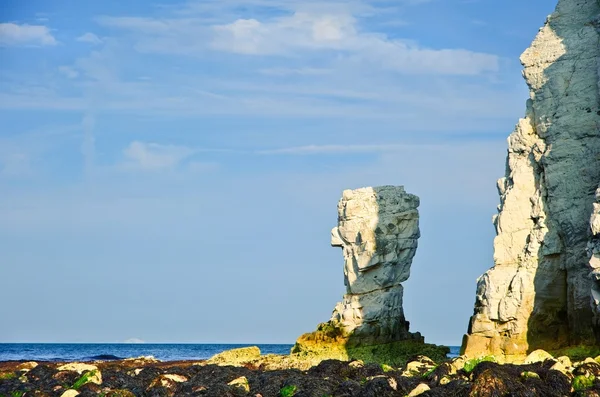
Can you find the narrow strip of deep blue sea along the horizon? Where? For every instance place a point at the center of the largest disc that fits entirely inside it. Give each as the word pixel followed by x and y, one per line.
pixel 117 351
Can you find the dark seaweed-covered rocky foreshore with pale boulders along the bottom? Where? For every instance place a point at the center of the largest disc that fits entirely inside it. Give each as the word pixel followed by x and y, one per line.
pixel 267 376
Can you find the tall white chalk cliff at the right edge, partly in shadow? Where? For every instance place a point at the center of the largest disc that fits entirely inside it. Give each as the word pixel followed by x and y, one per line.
pixel 541 292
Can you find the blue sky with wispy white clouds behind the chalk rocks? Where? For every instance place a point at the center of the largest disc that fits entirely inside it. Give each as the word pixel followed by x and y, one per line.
pixel 170 171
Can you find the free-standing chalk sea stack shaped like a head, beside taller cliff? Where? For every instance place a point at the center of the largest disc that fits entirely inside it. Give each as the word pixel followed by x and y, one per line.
pixel 378 229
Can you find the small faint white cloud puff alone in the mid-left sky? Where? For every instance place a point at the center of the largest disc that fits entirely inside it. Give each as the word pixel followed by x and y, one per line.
pixel 153 156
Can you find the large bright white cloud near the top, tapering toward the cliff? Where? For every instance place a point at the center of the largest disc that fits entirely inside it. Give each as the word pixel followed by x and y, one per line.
pixel 314 32
